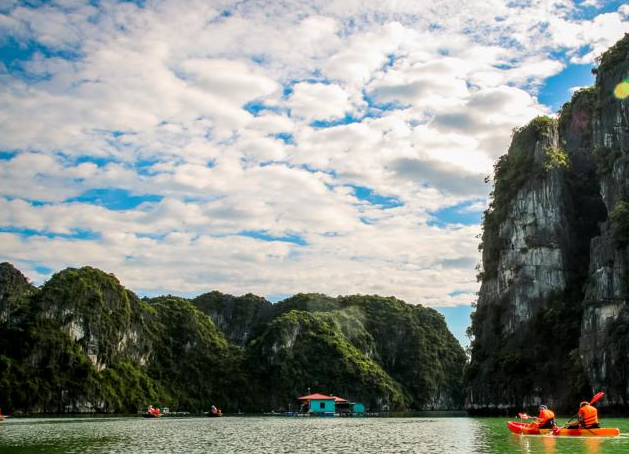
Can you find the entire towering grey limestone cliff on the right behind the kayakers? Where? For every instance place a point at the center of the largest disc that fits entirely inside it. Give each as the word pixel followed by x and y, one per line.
pixel 552 318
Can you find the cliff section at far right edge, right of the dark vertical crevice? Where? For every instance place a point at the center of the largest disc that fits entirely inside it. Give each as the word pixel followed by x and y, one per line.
pixel 604 343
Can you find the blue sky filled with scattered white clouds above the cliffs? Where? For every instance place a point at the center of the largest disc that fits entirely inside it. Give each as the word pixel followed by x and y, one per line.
pixel 268 147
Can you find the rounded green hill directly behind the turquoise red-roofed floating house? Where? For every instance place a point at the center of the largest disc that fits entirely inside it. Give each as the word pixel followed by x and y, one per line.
pixel 301 350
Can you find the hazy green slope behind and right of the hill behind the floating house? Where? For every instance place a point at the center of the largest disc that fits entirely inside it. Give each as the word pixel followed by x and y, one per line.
pixel 411 343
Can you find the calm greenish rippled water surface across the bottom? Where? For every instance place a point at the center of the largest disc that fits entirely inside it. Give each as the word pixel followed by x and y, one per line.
pixel 290 435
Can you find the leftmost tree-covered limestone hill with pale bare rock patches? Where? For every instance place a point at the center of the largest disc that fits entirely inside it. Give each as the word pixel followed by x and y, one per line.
pixel 84 343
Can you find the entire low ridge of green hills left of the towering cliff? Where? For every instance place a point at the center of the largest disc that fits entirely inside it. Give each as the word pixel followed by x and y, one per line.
pixel 83 343
